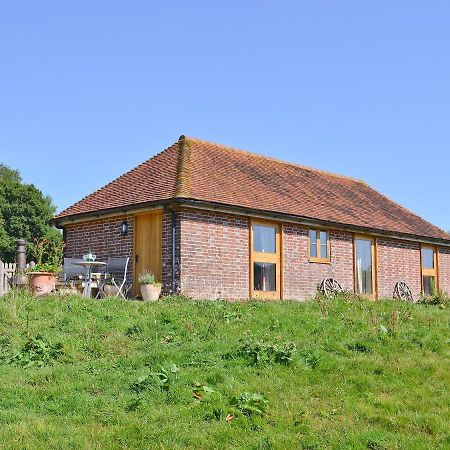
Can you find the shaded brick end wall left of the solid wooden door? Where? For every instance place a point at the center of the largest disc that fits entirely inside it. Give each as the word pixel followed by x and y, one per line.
pixel 102 236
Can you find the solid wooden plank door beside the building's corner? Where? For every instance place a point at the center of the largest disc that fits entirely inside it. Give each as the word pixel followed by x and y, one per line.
pixel 147 246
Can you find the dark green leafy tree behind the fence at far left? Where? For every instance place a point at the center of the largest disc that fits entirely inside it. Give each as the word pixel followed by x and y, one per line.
pixel 25 213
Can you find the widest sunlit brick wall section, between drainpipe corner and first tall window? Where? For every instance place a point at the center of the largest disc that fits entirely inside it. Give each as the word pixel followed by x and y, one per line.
pixel 214 255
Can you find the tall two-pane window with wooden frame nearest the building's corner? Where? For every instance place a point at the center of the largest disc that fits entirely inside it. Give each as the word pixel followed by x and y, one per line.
pixel 265 260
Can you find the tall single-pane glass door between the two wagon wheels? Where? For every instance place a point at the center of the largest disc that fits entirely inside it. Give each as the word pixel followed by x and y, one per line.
pixel 365 266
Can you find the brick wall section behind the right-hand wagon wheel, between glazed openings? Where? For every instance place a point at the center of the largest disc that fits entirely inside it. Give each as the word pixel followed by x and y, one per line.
pixel 398 261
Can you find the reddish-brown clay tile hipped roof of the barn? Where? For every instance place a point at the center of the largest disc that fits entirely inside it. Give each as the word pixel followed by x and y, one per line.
pixel 199 170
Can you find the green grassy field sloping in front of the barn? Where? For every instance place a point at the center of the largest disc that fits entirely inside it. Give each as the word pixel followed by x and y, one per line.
pixel 184 374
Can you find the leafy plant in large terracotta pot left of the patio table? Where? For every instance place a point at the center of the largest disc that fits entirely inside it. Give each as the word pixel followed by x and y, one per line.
pixel 43 275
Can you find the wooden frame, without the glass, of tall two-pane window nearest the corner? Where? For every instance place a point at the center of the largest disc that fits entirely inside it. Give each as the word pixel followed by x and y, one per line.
pixel 262 257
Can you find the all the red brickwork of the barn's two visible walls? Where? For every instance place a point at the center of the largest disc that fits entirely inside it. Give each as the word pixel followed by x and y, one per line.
pixel 212 256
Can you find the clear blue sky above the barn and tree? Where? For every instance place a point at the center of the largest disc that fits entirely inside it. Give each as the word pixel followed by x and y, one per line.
pixel 90 89
